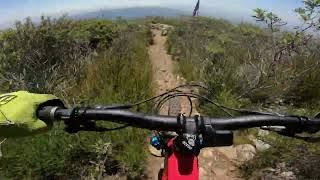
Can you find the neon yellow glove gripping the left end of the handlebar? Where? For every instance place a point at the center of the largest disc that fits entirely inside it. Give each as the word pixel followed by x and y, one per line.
pixel 18 113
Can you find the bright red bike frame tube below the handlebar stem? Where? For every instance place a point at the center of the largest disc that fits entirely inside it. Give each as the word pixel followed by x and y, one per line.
pixel 180 166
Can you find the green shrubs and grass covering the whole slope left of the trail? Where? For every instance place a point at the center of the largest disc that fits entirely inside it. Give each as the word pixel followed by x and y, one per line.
pixel 116 70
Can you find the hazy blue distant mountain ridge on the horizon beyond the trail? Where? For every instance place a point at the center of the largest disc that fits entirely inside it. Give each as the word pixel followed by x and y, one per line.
pixel 130 13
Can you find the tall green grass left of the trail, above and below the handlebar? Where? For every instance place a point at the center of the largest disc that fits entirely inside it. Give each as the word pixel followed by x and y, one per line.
pixel 121 73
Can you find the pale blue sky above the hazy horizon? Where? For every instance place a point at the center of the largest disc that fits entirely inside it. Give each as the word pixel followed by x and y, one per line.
pixel 11 10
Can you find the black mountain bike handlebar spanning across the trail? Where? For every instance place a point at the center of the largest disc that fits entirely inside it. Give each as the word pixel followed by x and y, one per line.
pixel 80 116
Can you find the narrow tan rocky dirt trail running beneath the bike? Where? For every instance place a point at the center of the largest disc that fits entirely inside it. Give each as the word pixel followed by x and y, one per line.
pixel 215 163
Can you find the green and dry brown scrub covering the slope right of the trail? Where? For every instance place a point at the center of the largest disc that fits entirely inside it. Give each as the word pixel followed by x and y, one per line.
pixel 241 66
